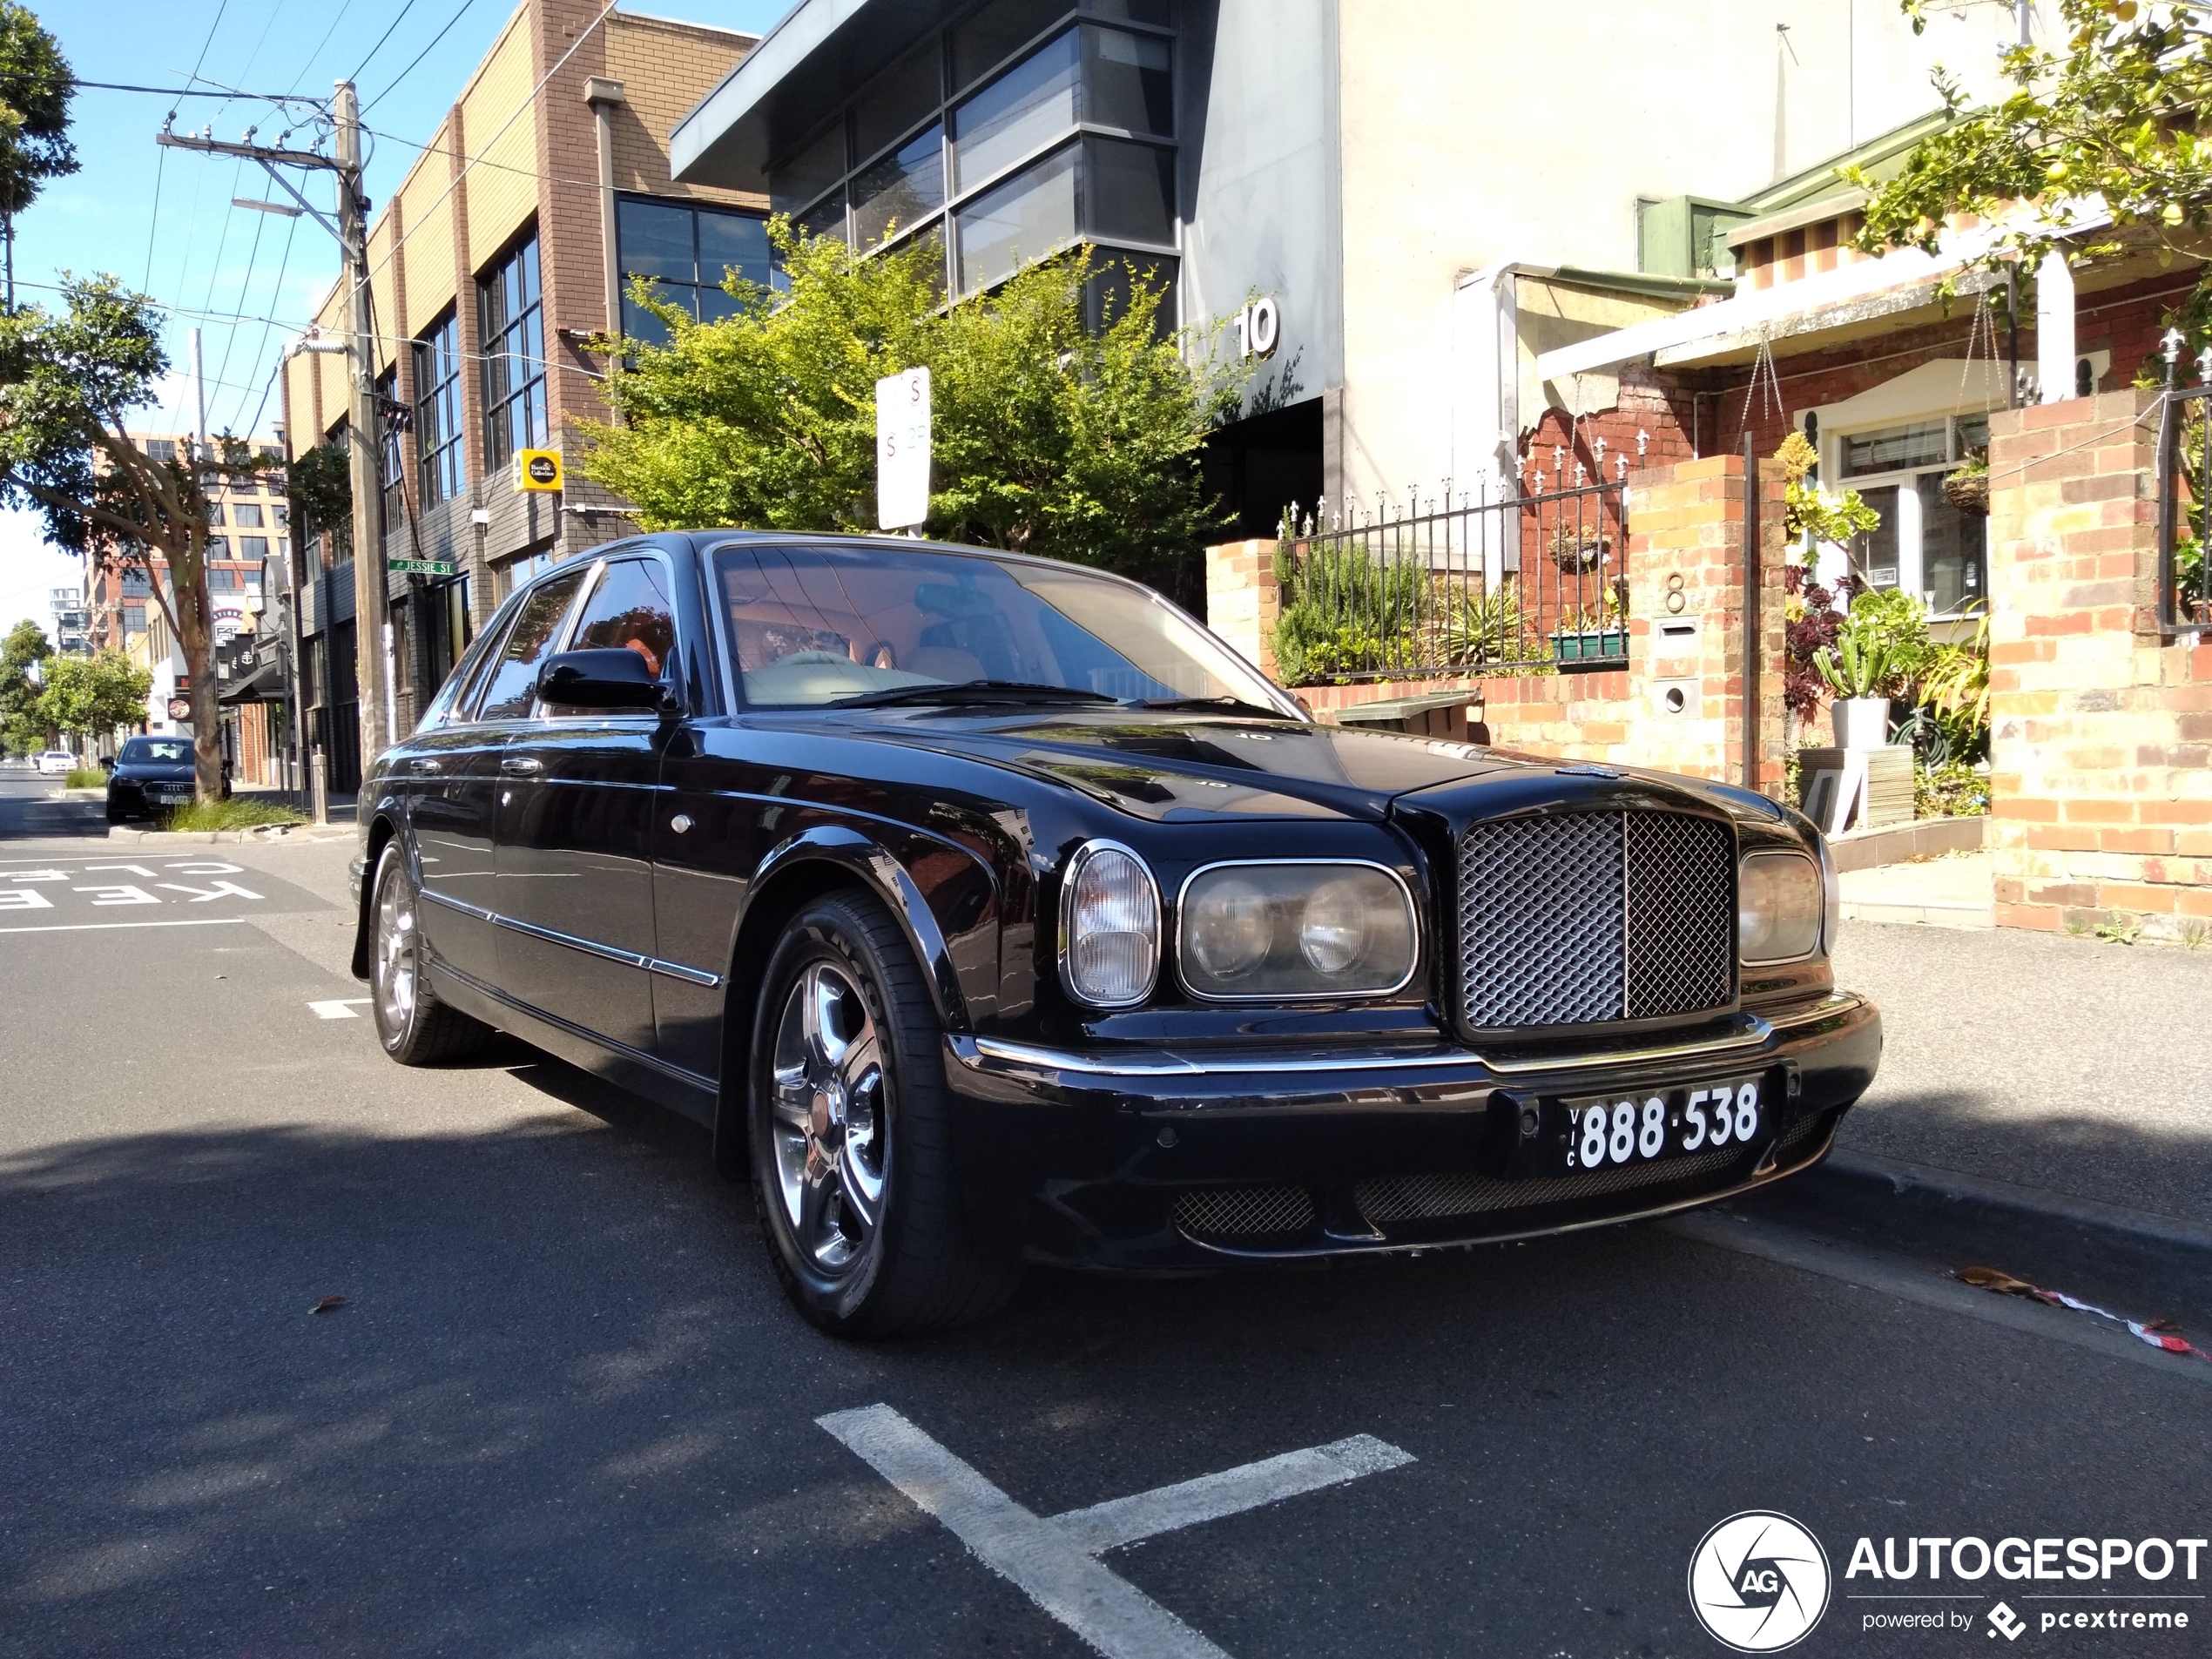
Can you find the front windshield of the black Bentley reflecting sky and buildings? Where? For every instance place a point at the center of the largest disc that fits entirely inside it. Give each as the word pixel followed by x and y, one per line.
pixel 815 625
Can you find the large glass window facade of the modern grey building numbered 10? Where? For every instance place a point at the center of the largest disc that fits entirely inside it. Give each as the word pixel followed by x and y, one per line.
pixel 1005 138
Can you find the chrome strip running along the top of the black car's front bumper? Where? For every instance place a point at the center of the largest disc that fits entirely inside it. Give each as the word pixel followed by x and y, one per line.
pixel 981 1054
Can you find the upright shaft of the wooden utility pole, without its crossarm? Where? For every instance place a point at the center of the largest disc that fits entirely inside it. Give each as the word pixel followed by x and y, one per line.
pixel 373 603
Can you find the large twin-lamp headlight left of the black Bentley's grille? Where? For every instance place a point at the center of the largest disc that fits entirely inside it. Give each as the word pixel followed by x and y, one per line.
pixel 1295 930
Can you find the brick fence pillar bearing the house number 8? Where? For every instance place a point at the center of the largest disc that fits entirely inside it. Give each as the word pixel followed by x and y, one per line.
pixel 1687 623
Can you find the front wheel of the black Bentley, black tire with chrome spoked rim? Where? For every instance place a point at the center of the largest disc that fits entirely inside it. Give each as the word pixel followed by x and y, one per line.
pixel 912 1266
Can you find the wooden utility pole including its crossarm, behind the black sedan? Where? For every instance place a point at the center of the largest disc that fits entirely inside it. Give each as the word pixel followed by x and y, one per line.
pixel 364 428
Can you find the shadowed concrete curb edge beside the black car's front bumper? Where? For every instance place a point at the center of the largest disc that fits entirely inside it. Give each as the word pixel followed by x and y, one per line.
pixel 1992 1218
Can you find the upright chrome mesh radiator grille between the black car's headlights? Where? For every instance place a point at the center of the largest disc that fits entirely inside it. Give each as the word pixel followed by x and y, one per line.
pixel 1592 917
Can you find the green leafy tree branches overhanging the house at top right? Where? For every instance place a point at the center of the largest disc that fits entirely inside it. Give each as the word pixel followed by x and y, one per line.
pixel 2114 109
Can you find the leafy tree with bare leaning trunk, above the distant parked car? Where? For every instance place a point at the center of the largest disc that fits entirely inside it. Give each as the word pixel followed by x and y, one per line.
pixel 67 388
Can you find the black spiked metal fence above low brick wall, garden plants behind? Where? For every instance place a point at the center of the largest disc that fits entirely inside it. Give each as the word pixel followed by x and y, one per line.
pixel 1490 585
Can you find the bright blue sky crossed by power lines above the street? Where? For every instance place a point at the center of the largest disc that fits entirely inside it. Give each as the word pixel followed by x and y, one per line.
pixel 163 220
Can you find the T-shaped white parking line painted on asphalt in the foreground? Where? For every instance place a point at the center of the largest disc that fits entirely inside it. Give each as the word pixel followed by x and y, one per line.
pixel 1054 1561
